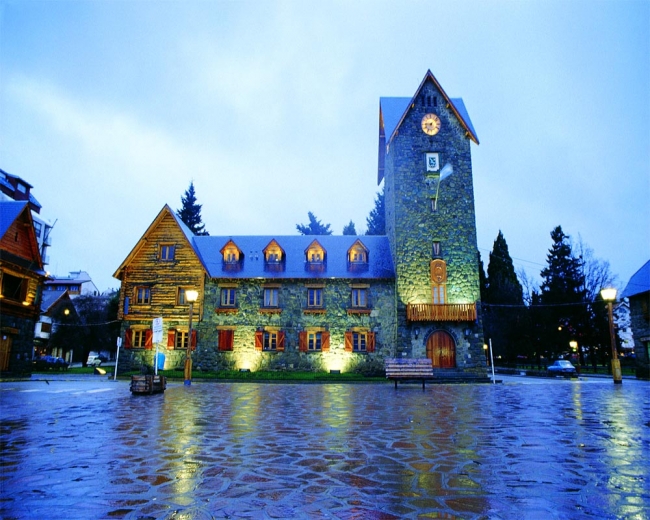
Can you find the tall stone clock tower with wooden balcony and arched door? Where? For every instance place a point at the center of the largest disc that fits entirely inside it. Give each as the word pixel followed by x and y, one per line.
pixel 425 163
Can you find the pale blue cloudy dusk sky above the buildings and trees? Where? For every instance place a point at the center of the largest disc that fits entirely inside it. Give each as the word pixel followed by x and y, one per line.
pixel 110 108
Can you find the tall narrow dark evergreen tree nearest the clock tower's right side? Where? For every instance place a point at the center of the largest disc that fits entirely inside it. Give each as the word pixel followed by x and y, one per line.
pixel 504 303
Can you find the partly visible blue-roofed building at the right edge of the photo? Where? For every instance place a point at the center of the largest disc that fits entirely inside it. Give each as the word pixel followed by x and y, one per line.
pixel 637 292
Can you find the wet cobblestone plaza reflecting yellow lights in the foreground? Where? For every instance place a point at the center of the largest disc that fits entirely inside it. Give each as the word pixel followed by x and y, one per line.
pixel 539 449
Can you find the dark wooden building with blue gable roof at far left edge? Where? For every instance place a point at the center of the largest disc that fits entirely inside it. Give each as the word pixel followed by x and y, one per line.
pixel 22 277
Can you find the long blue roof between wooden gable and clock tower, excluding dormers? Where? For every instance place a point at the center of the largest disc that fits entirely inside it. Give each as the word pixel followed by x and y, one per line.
pixel 294 265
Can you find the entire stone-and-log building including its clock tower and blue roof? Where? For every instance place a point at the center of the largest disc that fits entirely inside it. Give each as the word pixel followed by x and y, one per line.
pixel 329 302
